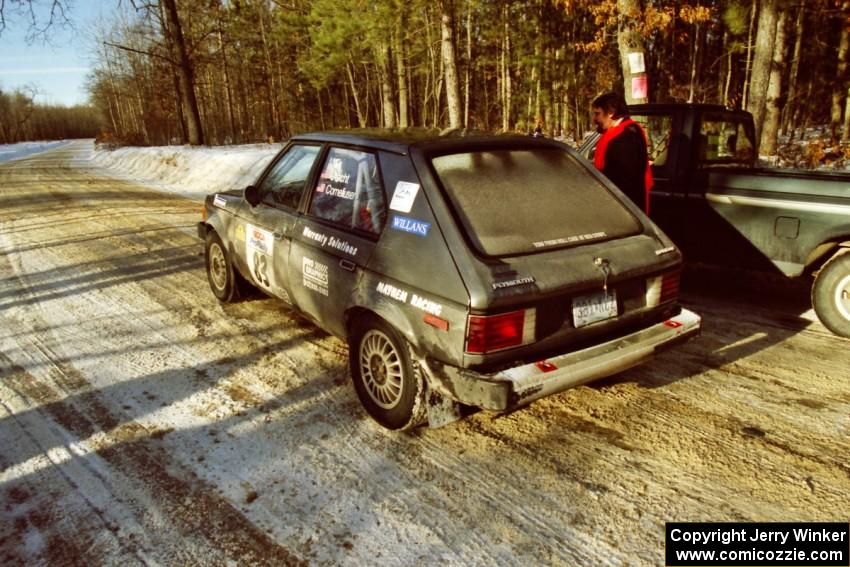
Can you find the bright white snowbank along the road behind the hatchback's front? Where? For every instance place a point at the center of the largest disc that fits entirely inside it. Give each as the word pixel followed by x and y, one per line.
pixel 192 172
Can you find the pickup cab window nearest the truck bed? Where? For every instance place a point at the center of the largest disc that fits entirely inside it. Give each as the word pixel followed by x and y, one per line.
pixel 723 140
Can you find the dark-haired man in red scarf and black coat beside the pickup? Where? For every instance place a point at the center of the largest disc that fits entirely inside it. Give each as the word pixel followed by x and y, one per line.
pixel 621 152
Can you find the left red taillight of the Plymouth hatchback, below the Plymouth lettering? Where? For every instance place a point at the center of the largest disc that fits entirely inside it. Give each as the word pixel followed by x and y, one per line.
pixel 497 332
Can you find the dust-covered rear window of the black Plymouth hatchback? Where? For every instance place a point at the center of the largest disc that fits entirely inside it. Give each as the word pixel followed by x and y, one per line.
pixel 519 201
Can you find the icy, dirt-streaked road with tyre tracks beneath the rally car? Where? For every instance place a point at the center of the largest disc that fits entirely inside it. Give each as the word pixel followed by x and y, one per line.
pixel 143 423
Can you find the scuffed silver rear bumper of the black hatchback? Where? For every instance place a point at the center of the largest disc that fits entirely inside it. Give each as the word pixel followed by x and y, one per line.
pixel 521 385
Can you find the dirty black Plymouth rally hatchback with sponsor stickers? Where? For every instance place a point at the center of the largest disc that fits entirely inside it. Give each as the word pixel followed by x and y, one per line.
pixel 462 270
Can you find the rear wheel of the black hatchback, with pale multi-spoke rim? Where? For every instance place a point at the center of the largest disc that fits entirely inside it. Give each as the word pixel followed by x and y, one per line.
pixel 386 376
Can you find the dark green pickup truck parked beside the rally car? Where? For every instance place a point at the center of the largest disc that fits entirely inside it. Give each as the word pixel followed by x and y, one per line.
pixel 720 207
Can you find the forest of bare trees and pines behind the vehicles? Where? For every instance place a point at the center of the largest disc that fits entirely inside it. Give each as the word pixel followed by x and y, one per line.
pixel 237 71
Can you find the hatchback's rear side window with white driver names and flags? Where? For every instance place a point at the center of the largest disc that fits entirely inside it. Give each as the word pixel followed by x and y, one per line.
pixel 349 191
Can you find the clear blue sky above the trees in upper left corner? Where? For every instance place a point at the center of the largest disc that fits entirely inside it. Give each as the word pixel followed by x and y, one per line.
pixel 59 70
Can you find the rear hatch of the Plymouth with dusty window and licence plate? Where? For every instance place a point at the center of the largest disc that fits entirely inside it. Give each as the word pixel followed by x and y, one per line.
pixel 554 259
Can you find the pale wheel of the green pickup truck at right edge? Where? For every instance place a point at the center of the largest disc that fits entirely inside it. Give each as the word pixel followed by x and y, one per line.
pixel 831 295
